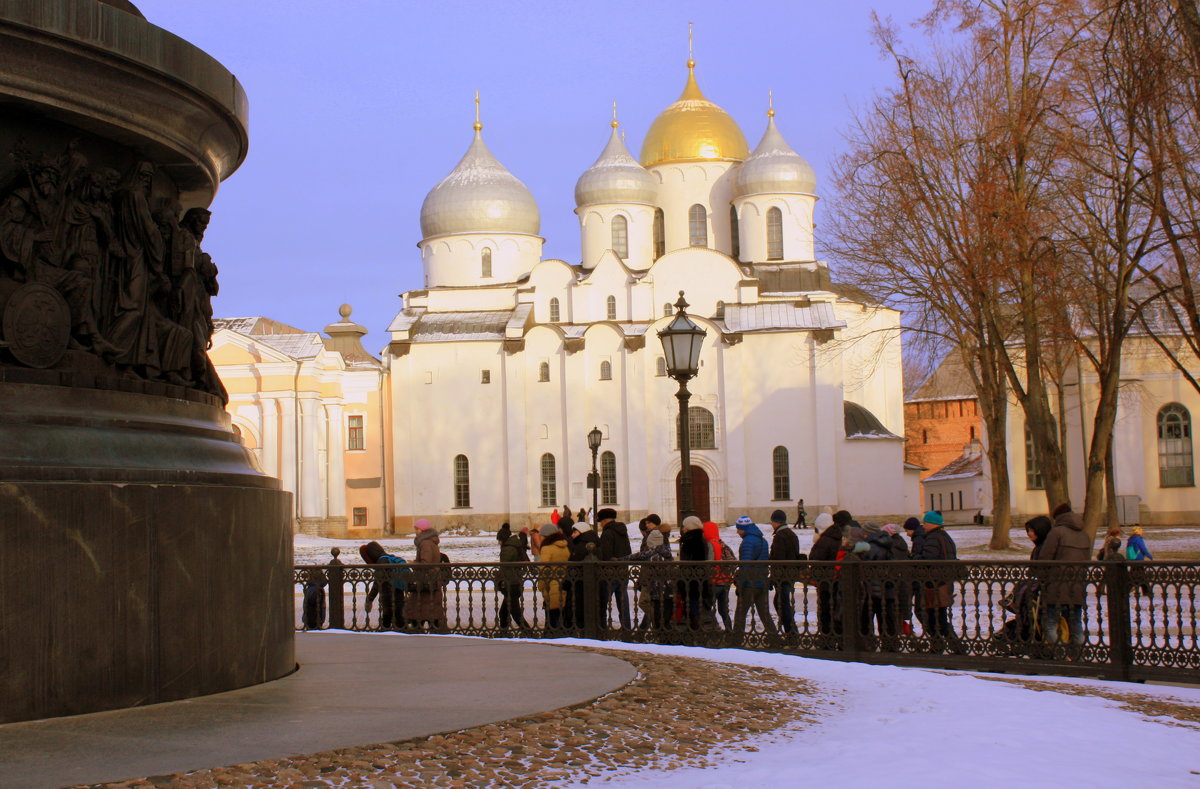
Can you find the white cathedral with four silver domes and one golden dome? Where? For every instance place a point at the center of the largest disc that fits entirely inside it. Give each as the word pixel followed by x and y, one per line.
pixel 500 368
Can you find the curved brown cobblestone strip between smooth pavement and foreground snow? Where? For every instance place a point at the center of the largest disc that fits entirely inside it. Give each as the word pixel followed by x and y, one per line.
pixel 679 713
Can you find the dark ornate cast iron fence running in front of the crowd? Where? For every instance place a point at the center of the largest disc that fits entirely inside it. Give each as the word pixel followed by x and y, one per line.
pixel 1127 622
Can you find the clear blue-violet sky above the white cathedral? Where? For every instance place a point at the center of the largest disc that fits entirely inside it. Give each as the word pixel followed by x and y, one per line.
pixel 359 107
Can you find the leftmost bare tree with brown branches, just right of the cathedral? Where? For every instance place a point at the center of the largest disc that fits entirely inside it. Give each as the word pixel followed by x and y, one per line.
pixel 908 225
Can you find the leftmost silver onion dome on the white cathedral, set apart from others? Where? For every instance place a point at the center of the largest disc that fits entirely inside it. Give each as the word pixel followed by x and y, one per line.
pixel 479 196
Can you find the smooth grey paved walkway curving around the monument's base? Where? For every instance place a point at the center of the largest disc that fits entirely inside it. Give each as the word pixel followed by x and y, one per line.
pixel 352 690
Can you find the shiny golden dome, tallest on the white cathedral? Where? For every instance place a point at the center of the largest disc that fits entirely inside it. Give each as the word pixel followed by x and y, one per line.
pixel 694 130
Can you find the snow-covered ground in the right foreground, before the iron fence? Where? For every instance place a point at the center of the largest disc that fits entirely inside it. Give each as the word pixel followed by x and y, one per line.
pixel 898 727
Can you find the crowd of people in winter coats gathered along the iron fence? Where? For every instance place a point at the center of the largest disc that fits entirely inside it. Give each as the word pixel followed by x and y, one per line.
pixel 1048 607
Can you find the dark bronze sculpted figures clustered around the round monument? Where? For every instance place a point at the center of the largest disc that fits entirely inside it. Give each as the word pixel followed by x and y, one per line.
pixel 118 280
